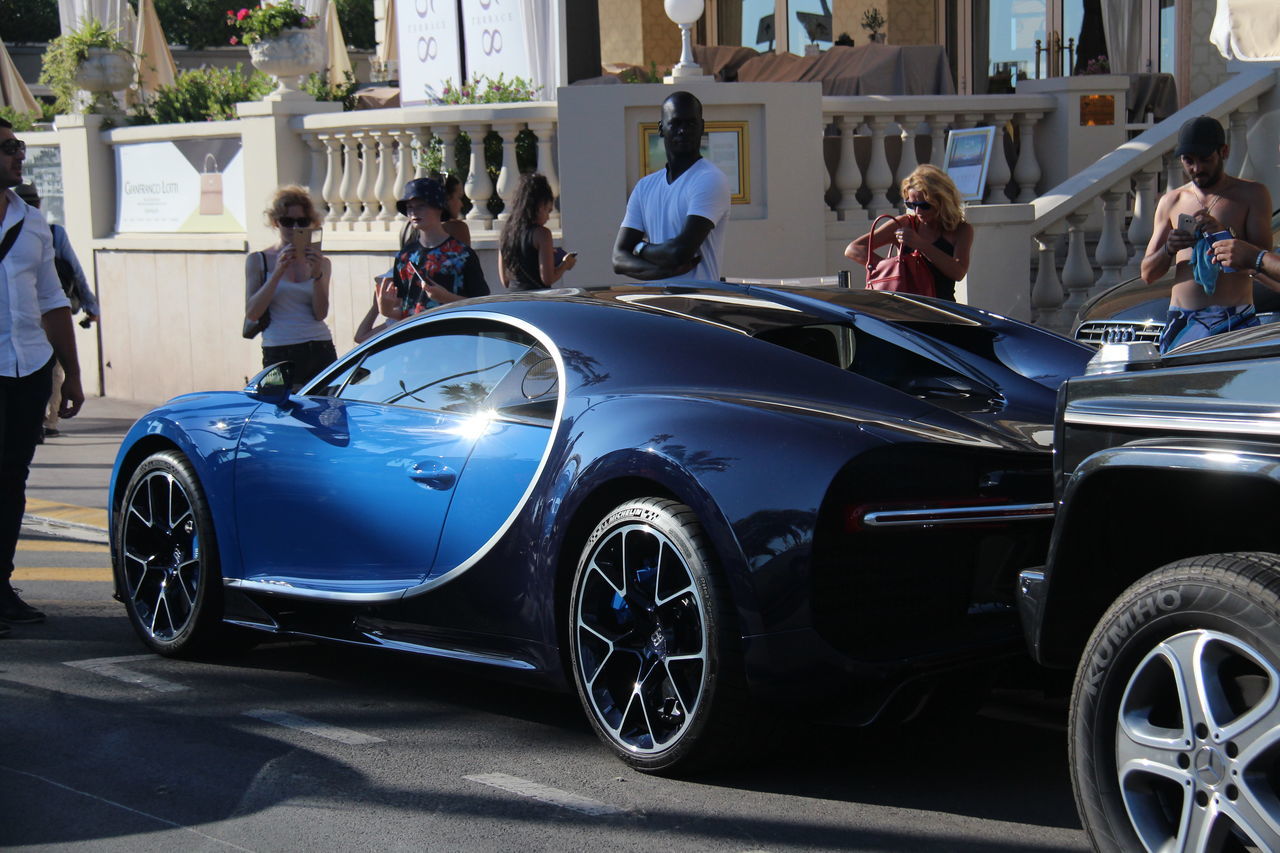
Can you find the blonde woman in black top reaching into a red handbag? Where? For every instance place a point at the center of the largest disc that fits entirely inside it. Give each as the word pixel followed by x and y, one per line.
pixel 935 227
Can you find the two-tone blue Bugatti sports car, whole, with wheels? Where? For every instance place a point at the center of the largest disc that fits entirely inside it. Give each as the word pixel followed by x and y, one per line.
pixel 692 505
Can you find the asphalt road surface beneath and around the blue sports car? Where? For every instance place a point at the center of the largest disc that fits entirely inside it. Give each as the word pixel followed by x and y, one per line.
pixel 305 747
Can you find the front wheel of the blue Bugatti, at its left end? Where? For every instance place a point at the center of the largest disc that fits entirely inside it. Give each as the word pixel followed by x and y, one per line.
pixel 166 558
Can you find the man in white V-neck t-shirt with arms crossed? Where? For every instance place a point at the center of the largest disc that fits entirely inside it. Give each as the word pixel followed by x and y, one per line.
pixel 675 221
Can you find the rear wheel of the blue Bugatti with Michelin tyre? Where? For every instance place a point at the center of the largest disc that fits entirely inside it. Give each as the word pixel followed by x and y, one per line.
pixel 655 655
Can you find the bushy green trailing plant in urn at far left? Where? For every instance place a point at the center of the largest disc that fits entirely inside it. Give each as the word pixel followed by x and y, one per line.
pixel 92 58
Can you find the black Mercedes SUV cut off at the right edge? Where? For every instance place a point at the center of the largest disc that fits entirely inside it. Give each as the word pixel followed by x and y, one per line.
pixel 1163 591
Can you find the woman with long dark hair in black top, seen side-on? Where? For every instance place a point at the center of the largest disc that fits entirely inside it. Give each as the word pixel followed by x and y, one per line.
pixel 527 259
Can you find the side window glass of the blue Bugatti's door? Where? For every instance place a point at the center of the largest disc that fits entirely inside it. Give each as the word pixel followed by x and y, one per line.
pixel 446 367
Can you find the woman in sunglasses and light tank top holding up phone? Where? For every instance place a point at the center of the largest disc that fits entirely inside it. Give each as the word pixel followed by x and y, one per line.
pixel 290 285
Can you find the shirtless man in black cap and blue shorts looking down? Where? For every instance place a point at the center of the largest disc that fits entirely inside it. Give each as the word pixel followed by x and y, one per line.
pixel 1215 302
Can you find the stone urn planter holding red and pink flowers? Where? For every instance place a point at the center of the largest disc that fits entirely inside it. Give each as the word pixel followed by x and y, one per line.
pixel 282 42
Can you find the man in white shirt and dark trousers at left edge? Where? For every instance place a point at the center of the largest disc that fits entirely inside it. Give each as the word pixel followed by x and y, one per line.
pixel 35 326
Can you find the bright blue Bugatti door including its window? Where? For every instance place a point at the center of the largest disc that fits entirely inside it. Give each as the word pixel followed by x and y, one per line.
pixel 344 492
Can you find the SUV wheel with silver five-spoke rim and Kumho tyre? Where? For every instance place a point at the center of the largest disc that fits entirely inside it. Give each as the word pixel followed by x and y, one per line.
pixel 1176 714
